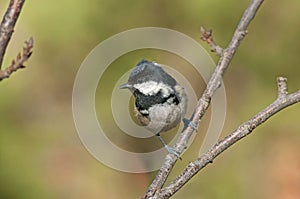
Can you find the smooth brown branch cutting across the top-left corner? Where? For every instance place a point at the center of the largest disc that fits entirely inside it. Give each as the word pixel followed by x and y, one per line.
pixel 7 25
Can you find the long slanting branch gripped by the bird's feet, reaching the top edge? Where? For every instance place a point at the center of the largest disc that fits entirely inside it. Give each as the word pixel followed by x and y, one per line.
pixel 213 84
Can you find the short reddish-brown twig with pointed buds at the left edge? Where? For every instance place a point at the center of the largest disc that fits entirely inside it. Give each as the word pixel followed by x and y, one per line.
pixel 18 63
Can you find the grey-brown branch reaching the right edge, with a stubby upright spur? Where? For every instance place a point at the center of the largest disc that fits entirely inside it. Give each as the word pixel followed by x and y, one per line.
pixel 283 100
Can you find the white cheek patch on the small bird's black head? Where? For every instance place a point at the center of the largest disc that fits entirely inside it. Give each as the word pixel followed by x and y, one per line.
pixel 152 88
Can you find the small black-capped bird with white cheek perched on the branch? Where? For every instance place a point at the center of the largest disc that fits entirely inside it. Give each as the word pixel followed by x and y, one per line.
pixel 160 102
